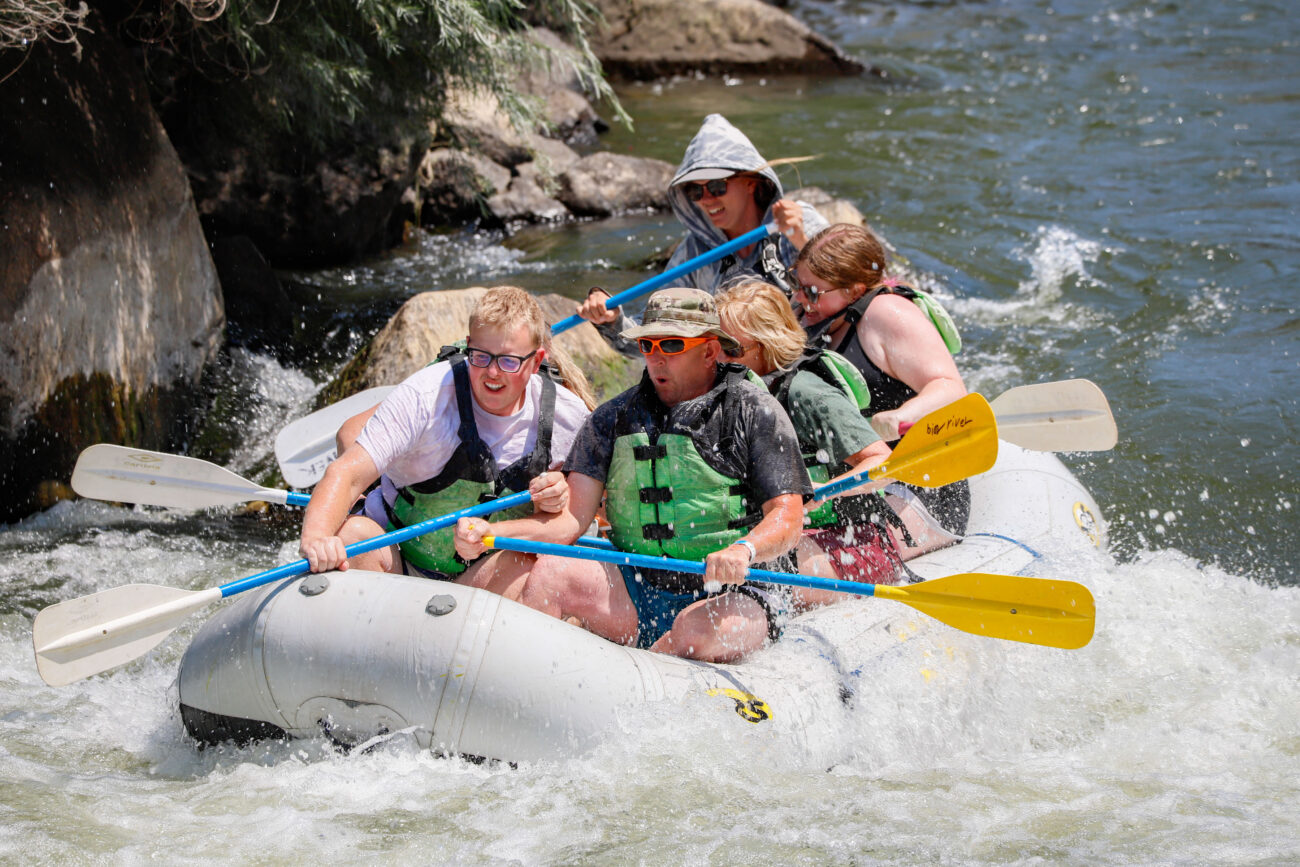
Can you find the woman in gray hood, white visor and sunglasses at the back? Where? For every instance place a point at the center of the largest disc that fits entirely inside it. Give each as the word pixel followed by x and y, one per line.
pixel 723 189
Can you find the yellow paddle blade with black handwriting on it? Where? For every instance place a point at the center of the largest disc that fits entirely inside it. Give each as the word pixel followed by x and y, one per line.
pixel 951 444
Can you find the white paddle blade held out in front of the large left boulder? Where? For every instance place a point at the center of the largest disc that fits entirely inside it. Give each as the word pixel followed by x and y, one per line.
pixel 125 475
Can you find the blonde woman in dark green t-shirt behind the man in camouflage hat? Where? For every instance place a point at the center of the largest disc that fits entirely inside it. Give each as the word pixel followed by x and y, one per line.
pixel 846 539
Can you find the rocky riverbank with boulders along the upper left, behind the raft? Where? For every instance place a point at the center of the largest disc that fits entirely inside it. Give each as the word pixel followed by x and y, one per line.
pixel 124 259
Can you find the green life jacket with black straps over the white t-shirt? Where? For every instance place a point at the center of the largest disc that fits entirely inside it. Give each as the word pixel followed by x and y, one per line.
pixel 469 478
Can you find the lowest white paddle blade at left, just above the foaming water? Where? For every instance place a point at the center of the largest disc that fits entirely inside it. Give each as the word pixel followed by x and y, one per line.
pixel 89 635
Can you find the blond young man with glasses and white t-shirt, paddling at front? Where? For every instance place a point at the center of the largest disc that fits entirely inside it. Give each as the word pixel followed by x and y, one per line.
pixel 482 424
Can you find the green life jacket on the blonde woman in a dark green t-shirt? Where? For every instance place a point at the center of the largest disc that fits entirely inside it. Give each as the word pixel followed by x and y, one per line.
pixel 837 371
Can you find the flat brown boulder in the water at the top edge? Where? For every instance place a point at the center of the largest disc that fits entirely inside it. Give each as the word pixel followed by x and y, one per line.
pixel 655 38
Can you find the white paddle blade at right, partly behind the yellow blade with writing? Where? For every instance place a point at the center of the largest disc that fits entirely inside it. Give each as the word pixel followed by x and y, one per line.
pixel 1072 415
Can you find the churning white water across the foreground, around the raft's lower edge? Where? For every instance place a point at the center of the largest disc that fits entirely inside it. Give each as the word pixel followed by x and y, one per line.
pixel 1171 739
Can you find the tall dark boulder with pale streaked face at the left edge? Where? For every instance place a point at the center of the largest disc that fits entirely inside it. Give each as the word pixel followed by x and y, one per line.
pixel 110 304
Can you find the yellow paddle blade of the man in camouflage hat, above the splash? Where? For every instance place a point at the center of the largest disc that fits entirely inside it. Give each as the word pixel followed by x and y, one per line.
pixel 1035 612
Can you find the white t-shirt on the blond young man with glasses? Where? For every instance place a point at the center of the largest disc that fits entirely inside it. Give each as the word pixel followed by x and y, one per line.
pixel 415 431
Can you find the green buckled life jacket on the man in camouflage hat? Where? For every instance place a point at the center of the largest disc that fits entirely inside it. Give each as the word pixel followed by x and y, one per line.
pixel 664 498
